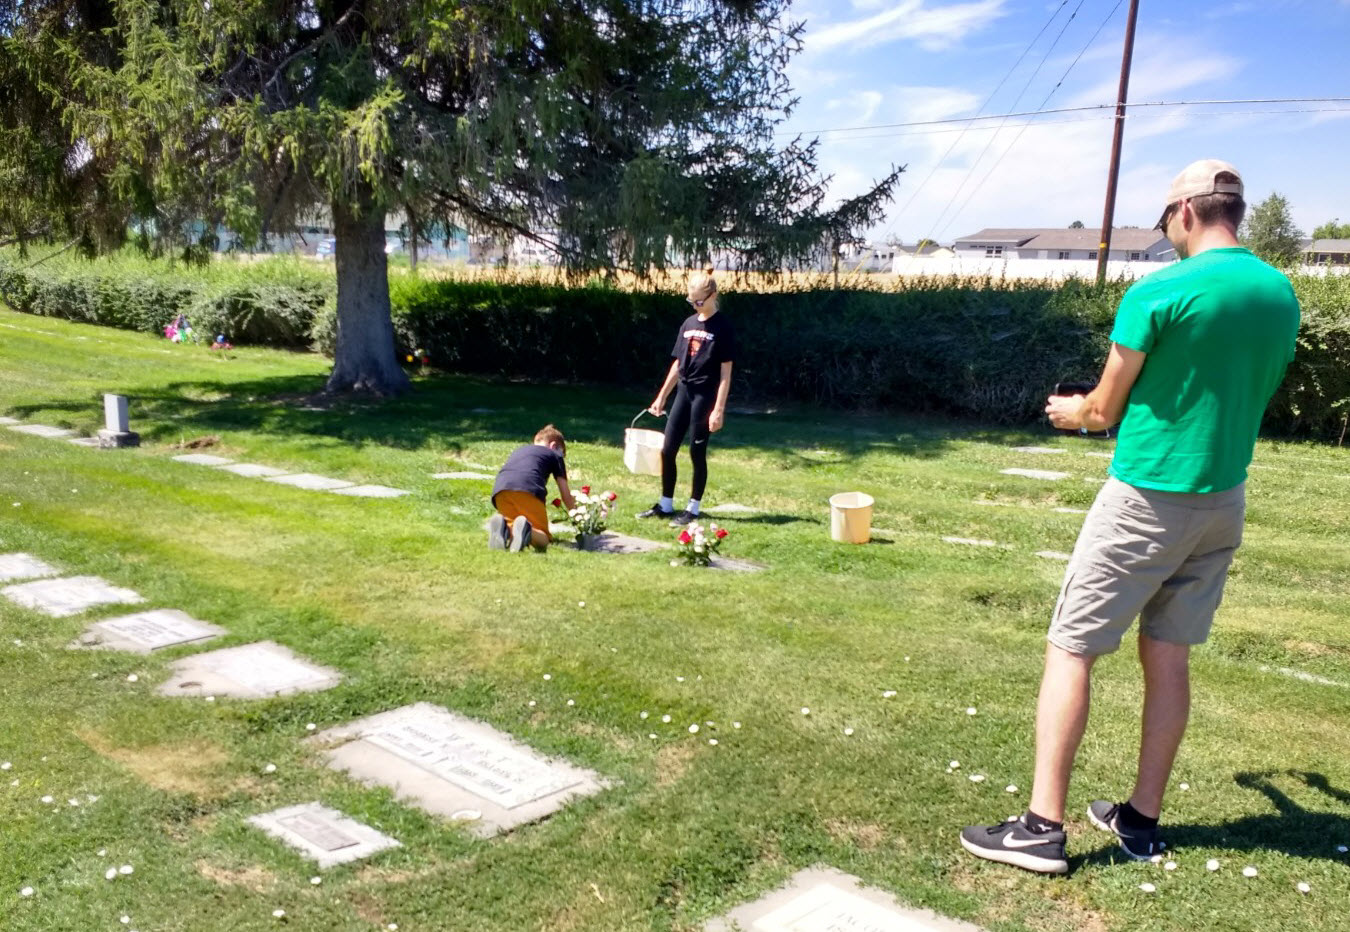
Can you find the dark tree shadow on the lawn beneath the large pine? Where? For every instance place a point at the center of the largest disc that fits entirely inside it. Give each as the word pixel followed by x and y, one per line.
pixel 452 413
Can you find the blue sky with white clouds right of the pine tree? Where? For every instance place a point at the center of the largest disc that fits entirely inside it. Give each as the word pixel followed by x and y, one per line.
pixel 875 63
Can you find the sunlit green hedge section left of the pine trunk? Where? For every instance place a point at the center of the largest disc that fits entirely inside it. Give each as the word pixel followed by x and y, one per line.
pixel 271 303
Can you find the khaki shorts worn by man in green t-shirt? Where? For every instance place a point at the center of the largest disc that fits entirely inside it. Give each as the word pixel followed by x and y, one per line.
pixel 1160 556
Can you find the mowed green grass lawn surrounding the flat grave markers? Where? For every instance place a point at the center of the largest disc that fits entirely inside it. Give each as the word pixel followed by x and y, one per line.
pixel 407 602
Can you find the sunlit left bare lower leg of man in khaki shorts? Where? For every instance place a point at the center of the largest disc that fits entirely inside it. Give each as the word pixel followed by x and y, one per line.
pixel 1062 715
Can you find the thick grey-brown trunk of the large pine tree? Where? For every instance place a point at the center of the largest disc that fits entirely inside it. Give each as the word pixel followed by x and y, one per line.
pixel 365 359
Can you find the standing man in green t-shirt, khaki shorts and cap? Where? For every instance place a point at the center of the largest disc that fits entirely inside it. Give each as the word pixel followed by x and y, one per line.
pixel 1197 353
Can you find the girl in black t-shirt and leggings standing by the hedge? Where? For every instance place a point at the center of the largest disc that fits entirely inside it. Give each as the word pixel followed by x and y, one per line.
pixel 701 372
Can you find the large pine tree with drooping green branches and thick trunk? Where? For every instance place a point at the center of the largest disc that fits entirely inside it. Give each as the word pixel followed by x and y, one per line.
pixel 642 132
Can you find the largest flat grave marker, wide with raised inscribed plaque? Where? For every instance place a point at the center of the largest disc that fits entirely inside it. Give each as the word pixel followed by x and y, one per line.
pixel 454 767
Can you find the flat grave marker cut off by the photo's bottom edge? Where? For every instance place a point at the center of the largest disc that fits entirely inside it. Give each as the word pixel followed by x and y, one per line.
pixel 826 900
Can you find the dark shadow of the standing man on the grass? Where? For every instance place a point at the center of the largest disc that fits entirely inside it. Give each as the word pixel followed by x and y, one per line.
pixel 1295 830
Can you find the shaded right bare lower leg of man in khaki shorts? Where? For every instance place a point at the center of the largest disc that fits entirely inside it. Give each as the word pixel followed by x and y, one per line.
pixel 1167 708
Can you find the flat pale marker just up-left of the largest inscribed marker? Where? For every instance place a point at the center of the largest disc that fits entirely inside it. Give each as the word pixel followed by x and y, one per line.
pixel 259 671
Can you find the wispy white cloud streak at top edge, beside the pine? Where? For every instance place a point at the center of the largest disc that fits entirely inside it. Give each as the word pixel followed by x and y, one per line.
pixel 932 28
